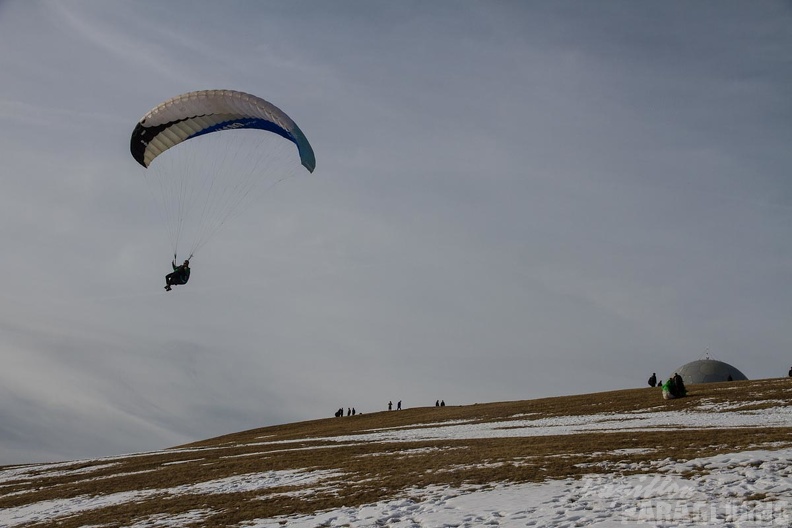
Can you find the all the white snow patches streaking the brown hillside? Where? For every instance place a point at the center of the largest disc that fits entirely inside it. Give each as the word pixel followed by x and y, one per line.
pixel 750 488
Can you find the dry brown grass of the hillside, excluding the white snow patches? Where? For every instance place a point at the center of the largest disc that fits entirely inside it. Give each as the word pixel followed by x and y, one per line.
pixel 365 472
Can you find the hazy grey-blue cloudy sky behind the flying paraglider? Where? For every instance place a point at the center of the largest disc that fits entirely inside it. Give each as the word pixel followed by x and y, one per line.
pixel 512 200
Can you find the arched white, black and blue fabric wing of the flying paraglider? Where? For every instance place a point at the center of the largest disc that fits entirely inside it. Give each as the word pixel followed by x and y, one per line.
pixel 197 113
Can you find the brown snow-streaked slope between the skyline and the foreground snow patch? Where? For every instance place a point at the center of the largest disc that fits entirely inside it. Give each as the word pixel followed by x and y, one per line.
pixel 334 462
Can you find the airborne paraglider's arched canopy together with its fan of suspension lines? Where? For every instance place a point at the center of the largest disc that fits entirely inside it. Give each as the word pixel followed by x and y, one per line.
pixel 205 152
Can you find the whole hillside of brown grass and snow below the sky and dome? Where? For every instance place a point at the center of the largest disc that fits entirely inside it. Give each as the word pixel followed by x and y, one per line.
pixel 563 461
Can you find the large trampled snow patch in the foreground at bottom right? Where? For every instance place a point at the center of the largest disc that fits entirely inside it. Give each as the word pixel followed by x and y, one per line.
pixel 717 498
